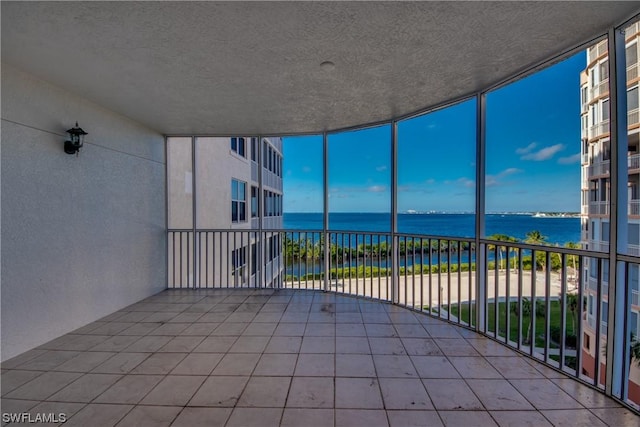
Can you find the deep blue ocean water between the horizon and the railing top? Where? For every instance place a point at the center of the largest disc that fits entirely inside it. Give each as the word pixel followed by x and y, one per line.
pixel 557 230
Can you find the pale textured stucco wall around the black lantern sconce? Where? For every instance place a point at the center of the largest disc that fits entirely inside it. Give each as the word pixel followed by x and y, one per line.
pixel 81 236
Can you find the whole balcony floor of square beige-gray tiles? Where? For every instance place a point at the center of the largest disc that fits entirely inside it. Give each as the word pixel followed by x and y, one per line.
pixel 289 358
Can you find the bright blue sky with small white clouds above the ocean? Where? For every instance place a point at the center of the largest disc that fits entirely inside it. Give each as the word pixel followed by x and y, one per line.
pixel 533 147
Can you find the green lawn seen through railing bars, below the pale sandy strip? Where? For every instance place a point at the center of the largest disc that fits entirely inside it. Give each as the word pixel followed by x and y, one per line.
pixel 463 314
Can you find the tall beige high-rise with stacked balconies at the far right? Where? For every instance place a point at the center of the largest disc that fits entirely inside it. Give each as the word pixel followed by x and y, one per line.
pixel 595 213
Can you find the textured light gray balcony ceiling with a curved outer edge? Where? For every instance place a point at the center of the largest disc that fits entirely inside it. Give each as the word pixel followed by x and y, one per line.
pixel 254 67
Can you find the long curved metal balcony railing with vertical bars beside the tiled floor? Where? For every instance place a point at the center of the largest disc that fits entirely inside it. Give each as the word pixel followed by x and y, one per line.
pixel 526 290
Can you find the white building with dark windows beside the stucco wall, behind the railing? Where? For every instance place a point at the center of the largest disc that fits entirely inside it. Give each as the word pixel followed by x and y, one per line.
pixel 223 188
